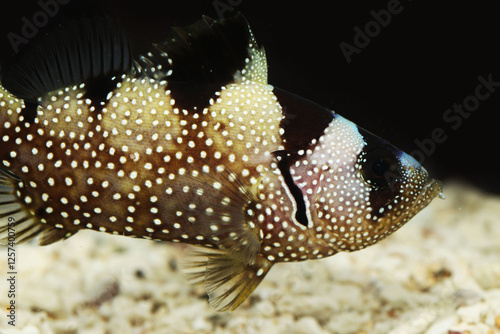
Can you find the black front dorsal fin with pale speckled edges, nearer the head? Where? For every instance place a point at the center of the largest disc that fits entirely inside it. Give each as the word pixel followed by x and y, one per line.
pixel 208 51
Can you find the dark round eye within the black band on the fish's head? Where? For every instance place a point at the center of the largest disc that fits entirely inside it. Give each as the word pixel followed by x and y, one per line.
pixel 380 167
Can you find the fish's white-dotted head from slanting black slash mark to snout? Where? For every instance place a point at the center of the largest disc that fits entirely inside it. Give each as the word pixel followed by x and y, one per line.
pixel 358 188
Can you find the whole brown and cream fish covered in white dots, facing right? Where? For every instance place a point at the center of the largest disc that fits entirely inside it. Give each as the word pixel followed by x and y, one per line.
pixel 189 143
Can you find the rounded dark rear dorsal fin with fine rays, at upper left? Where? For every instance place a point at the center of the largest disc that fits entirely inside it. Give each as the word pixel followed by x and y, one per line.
pixel 85 51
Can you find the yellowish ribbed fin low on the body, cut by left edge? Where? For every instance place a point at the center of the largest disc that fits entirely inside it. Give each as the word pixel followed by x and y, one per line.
pixel 17 225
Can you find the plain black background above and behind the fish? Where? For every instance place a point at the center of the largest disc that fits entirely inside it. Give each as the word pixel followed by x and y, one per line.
pixel 426 59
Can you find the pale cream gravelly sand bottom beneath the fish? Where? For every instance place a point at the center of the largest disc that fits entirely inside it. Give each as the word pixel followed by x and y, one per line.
pixel 440 274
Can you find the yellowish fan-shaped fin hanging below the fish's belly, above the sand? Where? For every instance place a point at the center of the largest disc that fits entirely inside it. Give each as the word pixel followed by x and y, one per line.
pixel 227 280
